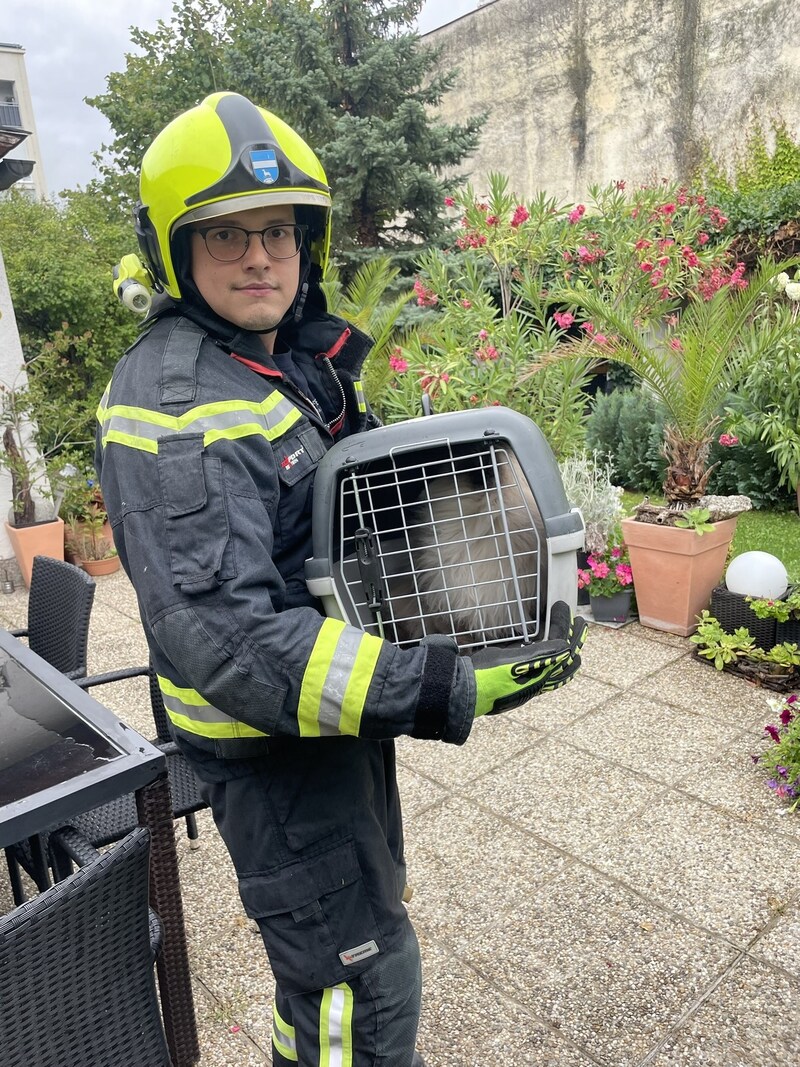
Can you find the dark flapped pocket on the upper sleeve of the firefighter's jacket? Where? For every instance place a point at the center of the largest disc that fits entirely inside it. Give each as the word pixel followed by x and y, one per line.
pixel 197 519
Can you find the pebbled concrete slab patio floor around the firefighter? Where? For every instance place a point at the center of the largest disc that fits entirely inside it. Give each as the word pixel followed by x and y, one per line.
pixel 601 879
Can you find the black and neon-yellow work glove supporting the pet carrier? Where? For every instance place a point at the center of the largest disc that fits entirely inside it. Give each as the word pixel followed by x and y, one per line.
pixel 509 677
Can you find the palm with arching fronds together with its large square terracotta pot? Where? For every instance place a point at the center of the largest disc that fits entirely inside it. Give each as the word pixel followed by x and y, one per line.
pixel 692 357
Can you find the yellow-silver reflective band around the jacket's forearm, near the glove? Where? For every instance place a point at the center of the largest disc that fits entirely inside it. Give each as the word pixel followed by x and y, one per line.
pixel 338 678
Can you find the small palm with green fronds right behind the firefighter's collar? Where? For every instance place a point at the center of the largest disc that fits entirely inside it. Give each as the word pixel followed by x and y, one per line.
pixel 371 306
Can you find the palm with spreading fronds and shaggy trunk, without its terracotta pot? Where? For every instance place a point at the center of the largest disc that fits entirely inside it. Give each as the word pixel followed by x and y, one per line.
pixel 692 362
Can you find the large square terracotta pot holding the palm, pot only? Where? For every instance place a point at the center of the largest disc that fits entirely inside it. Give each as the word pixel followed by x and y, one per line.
pixel 676 571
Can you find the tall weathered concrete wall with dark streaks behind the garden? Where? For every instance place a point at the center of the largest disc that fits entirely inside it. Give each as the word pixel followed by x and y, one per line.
pixel 584 92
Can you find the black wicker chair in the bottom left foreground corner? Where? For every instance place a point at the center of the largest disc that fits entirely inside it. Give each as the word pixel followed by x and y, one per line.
pixel 77 981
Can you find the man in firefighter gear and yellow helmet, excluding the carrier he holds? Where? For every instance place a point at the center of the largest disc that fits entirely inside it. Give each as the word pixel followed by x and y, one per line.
pixel 210 434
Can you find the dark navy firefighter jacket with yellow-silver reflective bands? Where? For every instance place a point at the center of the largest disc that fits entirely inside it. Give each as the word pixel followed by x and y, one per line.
pixel 206 454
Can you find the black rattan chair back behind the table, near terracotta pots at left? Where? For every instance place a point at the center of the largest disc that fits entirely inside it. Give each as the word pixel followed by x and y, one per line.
pixel 59 610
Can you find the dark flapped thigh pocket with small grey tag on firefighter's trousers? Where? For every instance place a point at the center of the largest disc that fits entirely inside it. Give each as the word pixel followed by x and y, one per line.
pixel 316 920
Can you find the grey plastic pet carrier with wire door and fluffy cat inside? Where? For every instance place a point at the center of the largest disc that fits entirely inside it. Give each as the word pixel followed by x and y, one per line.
pixel 453 524
